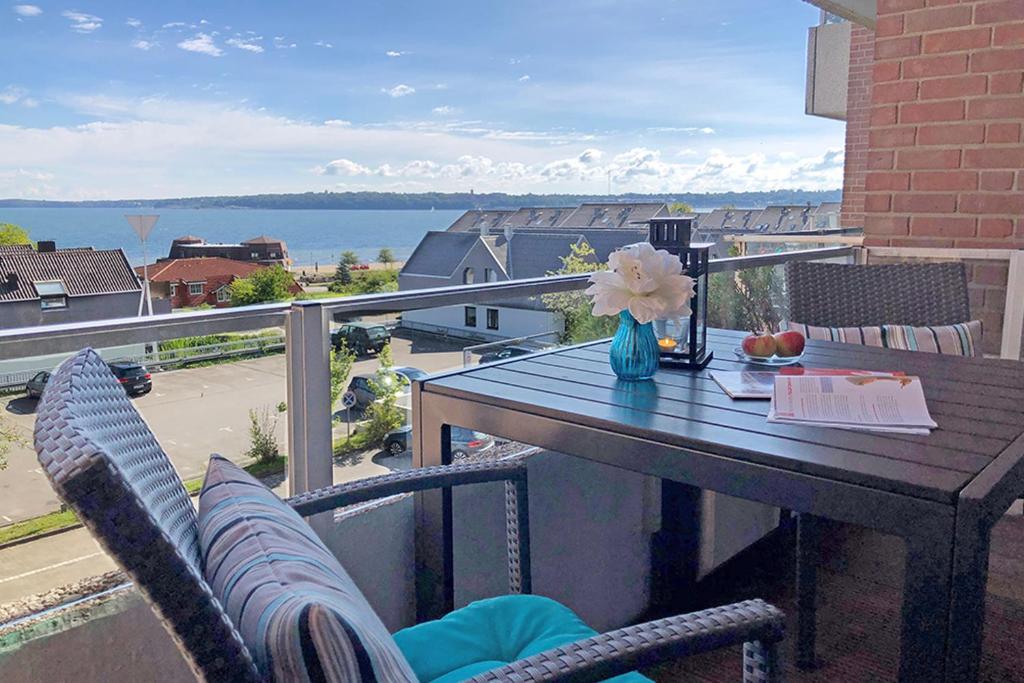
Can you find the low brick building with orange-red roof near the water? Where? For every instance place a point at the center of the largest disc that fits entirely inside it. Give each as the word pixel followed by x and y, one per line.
pixel 194 282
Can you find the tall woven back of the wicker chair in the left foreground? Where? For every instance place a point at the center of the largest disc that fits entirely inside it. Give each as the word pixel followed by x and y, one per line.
pixel 106 464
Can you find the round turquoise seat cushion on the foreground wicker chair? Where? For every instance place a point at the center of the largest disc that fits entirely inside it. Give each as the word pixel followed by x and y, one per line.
pixel 489 634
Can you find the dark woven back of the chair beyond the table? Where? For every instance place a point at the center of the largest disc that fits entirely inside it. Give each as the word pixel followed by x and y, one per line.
pixel 839 295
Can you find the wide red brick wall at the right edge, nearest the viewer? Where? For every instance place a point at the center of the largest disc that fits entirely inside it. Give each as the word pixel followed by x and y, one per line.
pixel 946 148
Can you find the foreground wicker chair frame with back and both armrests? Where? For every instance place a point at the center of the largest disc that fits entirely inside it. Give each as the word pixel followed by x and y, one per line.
pixel 107 465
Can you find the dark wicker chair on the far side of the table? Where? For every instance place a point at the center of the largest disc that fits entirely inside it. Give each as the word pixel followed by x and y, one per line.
pixel 839 295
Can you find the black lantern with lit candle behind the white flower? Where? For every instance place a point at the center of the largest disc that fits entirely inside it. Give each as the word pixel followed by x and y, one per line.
pixel 684 343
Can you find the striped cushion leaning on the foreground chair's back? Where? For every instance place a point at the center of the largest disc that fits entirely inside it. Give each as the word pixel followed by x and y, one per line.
pixel 296 608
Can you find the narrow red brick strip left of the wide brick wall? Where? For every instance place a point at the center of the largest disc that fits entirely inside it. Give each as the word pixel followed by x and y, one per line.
pixel 859 109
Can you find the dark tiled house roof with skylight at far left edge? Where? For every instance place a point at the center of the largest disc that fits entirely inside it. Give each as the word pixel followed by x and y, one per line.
pixel 82 272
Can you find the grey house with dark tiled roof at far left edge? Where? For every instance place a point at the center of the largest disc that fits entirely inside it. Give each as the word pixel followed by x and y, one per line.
pixel 49 286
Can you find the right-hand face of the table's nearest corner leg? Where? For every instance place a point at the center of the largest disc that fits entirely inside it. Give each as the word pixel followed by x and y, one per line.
pixel 967 613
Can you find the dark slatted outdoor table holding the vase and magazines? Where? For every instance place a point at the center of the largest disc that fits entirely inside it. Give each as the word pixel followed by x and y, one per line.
pixel 942 494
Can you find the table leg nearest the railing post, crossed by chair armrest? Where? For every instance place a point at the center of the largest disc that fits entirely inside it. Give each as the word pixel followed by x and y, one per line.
pixel 435 548
